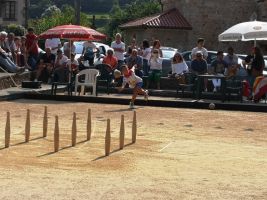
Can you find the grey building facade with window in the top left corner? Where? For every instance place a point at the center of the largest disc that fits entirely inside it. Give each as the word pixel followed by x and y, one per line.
pixel 12 12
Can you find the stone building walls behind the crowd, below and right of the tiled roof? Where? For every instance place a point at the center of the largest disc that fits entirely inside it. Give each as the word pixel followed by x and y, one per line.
pixel 208 18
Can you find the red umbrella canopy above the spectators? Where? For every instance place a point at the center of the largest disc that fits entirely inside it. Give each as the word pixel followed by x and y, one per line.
pixel 72 32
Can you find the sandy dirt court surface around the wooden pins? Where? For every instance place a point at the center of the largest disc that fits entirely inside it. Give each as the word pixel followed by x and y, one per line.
pixel 179 154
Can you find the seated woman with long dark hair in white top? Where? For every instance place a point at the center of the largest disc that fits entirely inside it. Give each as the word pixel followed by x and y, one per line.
pixel 179 66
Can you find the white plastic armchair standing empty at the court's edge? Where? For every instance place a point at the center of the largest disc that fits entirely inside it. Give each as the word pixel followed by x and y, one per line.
pixel 90 79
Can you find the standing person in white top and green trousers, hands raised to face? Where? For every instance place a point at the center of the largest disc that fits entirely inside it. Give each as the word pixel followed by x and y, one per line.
pixel 155 68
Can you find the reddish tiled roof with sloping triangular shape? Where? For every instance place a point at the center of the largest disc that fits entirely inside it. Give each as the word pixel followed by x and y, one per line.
pixel 171 19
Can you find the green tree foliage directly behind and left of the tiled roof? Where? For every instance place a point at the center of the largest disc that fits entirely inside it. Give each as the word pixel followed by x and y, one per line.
pixel 132 11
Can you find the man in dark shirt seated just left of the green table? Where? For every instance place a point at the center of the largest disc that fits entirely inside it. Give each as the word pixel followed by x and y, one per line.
pixel 199 66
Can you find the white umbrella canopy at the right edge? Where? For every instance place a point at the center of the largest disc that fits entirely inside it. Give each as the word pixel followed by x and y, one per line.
pixel 253 30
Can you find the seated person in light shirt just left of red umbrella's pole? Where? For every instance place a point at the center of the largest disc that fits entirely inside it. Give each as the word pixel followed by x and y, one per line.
pixel 61 72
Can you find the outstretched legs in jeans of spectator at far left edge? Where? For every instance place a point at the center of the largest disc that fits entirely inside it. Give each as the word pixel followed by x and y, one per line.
pixel 8 64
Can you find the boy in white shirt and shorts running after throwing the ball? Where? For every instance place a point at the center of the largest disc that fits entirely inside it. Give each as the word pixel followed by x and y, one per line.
pixel 134 82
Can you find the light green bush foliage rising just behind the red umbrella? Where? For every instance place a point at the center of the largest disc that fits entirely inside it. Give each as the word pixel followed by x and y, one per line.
pixel 67 16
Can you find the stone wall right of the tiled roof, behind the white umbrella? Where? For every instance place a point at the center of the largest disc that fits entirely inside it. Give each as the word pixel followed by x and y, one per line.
pixel 209 18
